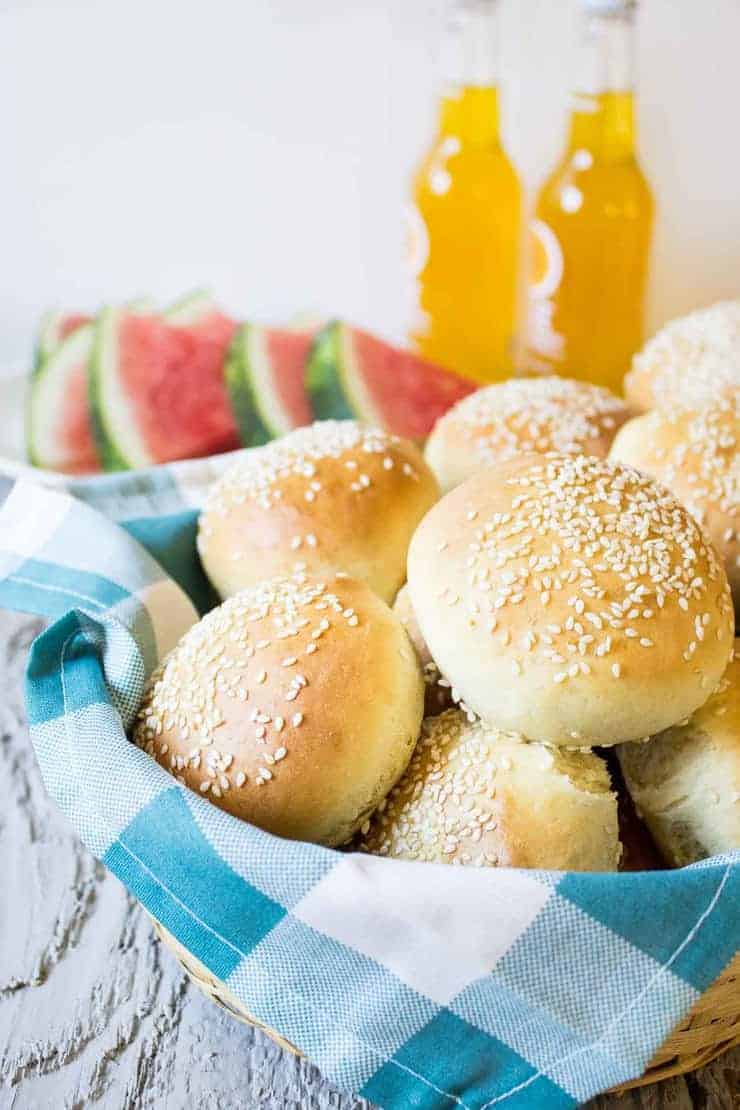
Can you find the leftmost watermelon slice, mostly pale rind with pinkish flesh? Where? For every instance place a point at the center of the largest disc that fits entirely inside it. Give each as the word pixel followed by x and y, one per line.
pixel 59 435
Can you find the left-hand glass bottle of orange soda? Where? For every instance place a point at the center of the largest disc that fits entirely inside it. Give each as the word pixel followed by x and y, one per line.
pixel 467 214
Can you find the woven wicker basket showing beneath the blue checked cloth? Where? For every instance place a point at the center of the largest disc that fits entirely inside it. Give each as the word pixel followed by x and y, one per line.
pixel 712 1028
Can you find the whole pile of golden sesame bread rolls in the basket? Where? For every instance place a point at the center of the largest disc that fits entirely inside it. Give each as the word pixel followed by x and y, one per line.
pixel 428 655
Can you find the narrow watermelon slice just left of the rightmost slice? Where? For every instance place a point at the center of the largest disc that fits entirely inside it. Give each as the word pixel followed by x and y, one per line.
pixel 266 376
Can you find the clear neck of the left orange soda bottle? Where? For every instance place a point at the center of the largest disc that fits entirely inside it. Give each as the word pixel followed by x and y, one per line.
pixel 470 108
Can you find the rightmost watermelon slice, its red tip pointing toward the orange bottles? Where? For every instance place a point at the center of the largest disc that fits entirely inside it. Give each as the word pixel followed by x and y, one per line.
pixel 354 375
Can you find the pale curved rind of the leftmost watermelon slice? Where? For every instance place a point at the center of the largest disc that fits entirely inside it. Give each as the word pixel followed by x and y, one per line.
pixel 47 395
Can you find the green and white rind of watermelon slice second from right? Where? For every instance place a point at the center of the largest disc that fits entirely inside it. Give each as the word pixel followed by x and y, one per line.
pixel 250 379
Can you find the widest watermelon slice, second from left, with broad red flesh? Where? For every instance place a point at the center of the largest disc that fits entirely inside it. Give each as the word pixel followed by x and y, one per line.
pixel 157 388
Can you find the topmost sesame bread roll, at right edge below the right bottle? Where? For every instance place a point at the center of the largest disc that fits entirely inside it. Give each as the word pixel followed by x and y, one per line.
pixel 691 361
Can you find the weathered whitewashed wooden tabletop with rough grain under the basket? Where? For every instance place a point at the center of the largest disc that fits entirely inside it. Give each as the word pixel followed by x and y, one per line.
pixel 94 1012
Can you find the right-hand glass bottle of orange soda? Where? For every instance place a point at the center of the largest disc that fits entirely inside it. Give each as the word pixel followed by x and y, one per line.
pixel 591 236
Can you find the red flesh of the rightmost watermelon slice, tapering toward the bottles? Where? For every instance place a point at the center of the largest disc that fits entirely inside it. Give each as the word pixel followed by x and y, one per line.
pixel 410 393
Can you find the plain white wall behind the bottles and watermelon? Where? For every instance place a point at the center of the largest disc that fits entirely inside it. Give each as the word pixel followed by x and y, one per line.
pixel 265 148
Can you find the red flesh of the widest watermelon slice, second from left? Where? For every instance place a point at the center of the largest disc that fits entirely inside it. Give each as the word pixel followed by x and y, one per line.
pixel 174 378
